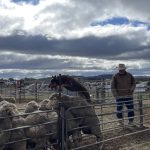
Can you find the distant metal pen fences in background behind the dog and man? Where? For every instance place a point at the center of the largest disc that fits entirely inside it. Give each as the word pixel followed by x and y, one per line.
pixel 38 91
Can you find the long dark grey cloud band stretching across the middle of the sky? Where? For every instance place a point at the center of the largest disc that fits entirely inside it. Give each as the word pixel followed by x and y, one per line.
pixel 90 46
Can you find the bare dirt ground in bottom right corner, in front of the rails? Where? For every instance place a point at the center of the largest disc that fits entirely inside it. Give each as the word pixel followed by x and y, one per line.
pixel 140 141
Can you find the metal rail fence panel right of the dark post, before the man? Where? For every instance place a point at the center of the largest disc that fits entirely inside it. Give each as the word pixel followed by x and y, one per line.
pixel 140 123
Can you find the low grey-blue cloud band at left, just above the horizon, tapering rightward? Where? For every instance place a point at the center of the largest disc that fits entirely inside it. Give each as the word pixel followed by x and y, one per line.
pixel 13 62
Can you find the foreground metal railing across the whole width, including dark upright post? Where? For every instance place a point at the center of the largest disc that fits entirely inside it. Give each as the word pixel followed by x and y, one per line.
pixel 105 111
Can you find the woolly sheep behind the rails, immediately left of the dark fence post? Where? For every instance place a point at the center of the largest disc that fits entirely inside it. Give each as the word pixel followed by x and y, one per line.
pixel 37 133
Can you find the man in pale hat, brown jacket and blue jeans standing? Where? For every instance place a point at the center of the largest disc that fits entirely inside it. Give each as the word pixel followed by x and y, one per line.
pixel 122 86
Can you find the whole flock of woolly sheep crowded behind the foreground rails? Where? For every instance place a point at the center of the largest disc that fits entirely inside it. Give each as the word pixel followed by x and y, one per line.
pixel 37 127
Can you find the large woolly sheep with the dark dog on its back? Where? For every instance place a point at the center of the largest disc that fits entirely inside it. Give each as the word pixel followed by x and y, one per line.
pixel 86 113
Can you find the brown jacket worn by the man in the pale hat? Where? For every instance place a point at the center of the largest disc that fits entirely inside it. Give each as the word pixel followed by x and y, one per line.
pixel 123 85
